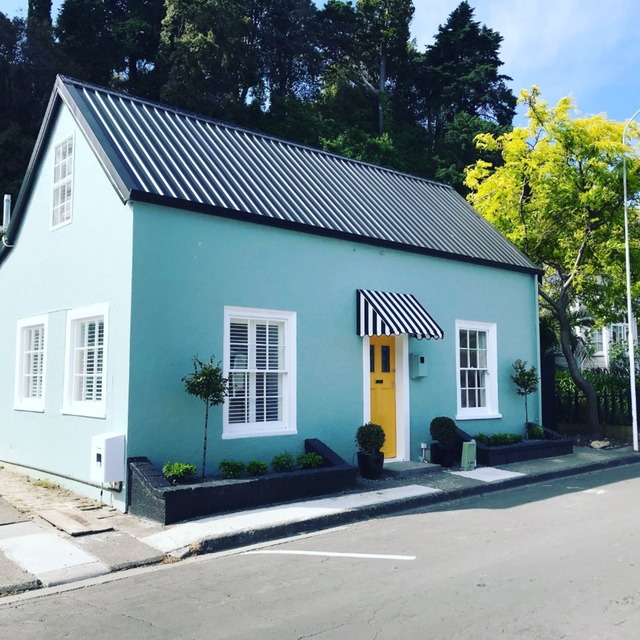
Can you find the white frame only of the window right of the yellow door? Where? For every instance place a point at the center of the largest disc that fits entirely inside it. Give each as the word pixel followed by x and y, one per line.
pixel 491 409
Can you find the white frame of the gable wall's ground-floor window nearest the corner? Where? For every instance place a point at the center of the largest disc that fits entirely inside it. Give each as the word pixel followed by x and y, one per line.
pixel 72 404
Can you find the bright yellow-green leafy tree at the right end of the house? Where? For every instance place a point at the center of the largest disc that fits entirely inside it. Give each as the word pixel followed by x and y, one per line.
pixel 558 197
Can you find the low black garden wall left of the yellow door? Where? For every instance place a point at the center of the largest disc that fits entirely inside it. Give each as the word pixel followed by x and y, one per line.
pixel 150 495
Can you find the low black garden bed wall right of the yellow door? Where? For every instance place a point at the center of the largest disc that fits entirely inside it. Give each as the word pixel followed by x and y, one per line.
pixel 553 445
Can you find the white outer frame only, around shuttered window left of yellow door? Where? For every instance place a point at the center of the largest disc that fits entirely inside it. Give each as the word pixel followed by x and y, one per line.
pixel 287 425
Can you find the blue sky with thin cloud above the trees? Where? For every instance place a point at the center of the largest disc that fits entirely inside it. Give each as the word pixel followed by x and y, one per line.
pixel 586 49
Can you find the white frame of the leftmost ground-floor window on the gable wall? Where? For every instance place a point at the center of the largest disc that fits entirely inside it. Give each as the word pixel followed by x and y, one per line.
pixel 23 400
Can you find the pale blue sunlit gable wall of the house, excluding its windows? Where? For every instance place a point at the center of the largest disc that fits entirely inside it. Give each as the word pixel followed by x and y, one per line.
pixel 52 273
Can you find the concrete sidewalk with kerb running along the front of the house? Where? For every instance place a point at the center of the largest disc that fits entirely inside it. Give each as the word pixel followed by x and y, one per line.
pixel 50 536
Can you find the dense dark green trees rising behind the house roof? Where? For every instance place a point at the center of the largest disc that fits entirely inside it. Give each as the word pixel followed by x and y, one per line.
pixel 344 76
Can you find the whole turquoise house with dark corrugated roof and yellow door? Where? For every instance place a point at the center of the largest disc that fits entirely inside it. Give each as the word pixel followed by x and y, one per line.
pixel 333 292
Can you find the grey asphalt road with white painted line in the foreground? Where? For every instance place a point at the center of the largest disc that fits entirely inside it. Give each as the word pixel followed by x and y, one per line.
pixel 553 561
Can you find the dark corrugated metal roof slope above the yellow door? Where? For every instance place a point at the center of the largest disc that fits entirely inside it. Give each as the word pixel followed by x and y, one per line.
pixel 154 152
